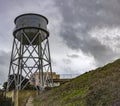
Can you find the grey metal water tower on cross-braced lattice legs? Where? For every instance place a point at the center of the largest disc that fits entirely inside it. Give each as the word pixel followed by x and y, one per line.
pixel 30 52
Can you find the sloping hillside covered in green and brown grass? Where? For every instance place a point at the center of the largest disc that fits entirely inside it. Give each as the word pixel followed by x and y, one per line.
pixel 100 87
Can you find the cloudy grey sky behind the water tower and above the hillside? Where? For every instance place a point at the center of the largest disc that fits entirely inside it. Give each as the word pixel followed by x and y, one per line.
pixel 84 34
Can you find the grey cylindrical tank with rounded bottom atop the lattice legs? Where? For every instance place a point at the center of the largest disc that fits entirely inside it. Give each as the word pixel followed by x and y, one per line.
pixel 28 26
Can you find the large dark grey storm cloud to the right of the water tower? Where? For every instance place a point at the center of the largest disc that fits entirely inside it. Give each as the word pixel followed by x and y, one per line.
pixel 82 16
